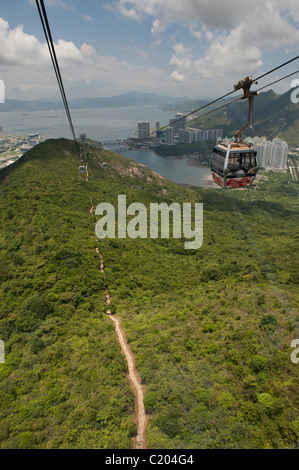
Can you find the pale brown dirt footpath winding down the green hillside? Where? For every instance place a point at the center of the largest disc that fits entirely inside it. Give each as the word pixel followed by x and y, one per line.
pixel 134 377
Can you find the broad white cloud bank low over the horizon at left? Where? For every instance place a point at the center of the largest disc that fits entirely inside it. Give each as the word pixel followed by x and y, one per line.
pixel 26 69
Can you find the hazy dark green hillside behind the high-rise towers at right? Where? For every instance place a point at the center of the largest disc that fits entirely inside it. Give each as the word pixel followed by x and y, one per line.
pixel 273 116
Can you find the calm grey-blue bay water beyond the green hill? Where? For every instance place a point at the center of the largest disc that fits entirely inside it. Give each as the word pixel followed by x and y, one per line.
pixel 108 124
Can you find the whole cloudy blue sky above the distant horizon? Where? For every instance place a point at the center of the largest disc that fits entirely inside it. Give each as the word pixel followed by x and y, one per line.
pixel 194 48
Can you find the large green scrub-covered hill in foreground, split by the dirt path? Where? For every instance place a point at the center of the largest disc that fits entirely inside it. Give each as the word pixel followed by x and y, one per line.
pixel 211 328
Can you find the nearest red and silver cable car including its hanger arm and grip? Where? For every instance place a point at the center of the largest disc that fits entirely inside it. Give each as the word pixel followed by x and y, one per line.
pixel 234 165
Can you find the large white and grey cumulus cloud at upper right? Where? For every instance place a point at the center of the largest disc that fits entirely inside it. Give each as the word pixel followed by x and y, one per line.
pixel 238 33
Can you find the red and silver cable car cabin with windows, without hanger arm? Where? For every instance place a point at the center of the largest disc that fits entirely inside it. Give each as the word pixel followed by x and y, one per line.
pixel 234 165
